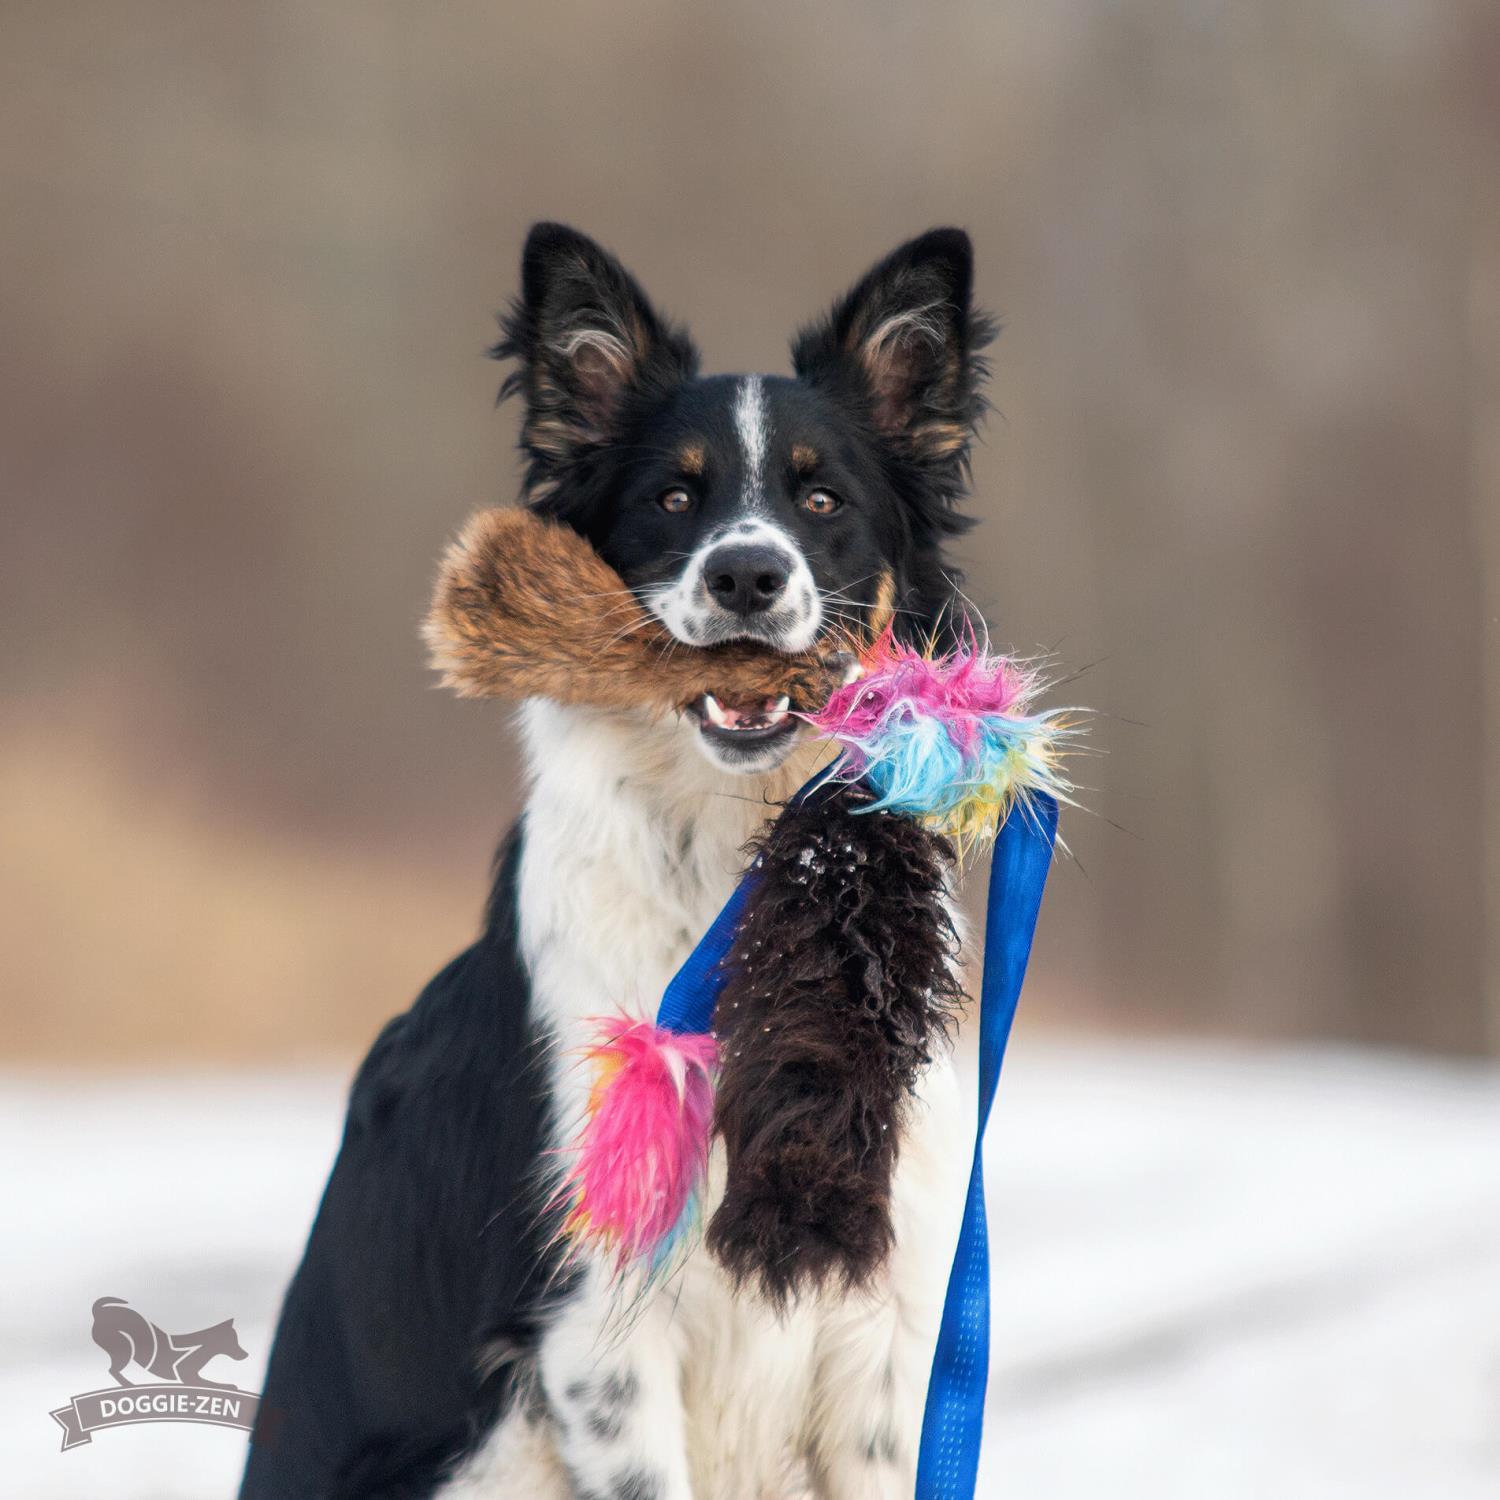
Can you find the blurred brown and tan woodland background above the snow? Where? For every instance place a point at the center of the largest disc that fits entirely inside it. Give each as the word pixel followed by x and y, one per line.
pixel 1246 466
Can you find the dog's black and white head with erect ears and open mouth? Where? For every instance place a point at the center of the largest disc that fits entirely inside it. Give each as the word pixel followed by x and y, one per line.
pixel 754 508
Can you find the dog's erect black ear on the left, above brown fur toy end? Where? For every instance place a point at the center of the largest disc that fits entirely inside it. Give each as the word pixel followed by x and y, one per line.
pixel 587 346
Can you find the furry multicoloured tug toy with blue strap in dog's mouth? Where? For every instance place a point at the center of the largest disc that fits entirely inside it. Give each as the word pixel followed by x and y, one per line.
pixel 797 1028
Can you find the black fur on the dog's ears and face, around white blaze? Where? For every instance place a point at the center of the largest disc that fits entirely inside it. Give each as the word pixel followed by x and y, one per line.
pixel 889 421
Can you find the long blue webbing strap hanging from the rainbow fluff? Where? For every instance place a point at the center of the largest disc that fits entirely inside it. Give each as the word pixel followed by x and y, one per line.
pixel 949 1460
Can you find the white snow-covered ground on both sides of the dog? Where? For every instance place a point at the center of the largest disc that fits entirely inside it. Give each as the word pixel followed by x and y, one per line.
pixel 1219 1274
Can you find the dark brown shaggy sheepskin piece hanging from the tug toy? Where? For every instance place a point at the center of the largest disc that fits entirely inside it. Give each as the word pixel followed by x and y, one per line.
pixel 842 980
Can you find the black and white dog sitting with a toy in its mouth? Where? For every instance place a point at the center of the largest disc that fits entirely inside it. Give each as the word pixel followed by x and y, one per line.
pixel 431 1342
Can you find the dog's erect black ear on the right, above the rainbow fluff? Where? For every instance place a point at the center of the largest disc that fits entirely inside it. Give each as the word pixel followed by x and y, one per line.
pixel 907 341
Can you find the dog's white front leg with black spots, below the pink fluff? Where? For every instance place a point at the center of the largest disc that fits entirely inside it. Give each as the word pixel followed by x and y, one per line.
pixel 613 1384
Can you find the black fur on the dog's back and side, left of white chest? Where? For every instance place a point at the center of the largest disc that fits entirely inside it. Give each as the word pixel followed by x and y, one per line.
pixel 428 1259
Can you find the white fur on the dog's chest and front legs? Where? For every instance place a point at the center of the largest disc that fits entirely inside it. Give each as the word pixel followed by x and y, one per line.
pixel 632 845
